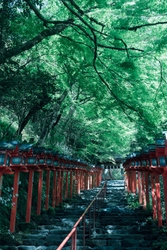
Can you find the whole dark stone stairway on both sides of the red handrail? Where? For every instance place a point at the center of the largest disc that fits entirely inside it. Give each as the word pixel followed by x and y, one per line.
pixel 117 227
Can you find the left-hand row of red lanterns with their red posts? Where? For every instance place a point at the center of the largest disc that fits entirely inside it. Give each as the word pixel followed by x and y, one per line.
pixel 20 159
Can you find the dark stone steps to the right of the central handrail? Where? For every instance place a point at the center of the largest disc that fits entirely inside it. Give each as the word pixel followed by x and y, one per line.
pixel 122 228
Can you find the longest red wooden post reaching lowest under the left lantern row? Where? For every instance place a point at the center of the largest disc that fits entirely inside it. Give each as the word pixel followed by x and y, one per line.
pixel 14 200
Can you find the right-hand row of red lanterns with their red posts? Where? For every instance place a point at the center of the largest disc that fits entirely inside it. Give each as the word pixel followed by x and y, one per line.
pixel 143 170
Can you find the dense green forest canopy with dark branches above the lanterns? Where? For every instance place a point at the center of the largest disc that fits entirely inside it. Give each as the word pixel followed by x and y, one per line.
pixel 87 78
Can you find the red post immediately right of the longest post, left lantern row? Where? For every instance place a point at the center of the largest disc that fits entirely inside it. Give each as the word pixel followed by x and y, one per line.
pixel 29 195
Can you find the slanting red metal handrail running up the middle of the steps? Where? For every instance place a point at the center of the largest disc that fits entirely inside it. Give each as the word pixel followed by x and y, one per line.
pixel 73 231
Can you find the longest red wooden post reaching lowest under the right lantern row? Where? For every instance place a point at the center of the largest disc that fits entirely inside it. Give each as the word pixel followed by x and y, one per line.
pixel 158 195
